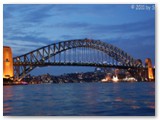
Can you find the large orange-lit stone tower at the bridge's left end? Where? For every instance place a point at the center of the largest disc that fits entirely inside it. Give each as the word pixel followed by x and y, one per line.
pixel 7 62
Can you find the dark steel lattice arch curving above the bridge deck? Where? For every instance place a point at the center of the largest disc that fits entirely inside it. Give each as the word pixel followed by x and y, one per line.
pixel 25 63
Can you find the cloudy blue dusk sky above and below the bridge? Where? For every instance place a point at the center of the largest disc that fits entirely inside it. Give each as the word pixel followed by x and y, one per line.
pixel 30 26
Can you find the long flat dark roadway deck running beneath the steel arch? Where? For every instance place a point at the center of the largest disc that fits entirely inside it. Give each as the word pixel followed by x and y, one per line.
pixel 43 64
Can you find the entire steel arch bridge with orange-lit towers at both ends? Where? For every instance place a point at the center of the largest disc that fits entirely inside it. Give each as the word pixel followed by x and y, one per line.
pixel 79 52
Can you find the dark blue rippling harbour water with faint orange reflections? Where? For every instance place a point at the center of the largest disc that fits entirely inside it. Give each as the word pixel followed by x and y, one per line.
pixel 97 99
